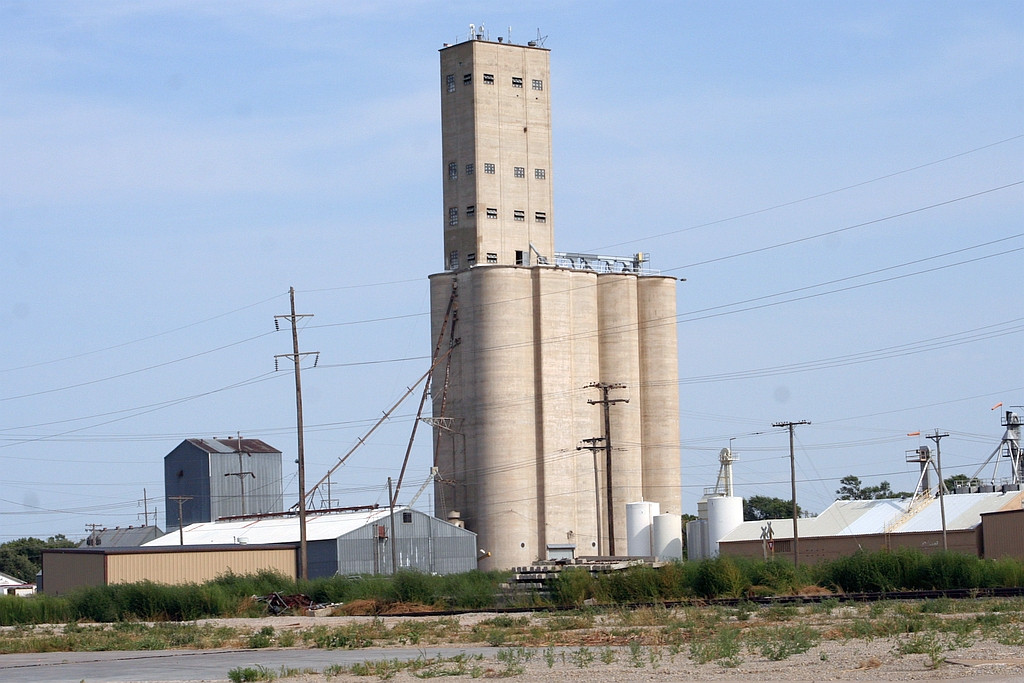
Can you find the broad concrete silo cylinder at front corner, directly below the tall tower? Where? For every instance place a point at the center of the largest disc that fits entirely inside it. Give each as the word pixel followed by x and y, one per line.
pixel 499 424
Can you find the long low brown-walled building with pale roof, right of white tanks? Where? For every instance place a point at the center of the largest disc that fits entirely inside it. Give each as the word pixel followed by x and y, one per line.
pixel 886 525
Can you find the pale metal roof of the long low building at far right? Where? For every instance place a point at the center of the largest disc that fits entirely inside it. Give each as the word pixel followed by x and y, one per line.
pixel 866 518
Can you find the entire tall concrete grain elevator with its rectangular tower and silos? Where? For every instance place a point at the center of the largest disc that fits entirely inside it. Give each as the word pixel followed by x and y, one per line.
pixel 543 349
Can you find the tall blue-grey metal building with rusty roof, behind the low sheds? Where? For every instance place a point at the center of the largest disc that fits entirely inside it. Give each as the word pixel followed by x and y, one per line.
pixel 222 478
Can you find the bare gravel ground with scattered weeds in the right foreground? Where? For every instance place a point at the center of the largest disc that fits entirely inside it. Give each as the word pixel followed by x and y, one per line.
pixel 875 660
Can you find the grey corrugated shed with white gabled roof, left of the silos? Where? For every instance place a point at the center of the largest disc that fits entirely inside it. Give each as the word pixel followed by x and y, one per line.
pixel 350 543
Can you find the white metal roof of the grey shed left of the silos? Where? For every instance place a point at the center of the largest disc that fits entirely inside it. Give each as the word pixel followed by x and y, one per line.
pixel 273 530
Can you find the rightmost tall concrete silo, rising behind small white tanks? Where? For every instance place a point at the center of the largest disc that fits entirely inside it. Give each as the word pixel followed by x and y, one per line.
pixel 659 391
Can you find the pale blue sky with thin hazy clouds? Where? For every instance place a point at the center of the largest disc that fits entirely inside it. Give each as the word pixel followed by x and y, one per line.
pixel 839 185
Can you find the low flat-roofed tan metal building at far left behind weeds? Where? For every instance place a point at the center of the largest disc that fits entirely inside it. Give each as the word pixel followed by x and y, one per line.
pixel 68 569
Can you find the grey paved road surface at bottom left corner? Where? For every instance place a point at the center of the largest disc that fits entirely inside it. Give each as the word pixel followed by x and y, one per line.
pixel 194 665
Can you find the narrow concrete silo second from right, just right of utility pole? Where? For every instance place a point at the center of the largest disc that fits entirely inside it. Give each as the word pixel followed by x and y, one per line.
pixel 620 365
